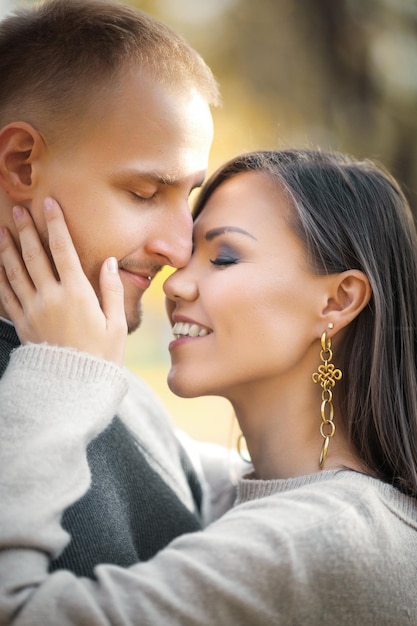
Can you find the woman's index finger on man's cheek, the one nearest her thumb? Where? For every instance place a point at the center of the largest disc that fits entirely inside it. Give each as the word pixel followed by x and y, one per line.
pixel 61 246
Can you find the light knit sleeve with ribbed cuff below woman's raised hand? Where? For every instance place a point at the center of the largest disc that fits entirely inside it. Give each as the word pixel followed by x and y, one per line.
pixel 53 402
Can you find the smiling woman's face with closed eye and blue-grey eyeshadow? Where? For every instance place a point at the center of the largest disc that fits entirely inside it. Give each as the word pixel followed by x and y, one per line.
pixel 246 309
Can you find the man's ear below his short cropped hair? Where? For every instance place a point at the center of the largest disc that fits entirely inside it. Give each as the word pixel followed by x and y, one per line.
pixel 20 146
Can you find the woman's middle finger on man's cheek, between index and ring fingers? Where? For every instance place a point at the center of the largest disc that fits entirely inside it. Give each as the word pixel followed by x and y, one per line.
pixel 34 256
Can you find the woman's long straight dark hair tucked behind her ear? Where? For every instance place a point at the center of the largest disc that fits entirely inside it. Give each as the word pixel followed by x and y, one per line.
pixel 352 215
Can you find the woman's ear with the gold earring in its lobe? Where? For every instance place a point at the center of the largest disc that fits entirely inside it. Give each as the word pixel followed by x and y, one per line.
pixel 349 294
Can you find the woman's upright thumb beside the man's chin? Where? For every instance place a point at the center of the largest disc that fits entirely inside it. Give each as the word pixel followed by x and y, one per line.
pixel 112 300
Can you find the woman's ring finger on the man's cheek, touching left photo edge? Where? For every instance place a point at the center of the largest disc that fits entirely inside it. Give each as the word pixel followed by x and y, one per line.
pixel 17 275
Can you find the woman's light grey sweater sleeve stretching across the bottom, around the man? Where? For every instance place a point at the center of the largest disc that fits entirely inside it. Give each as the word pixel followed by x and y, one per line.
pixel 247 569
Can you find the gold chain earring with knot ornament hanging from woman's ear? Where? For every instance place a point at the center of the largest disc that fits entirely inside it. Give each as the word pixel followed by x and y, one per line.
pixel 326 375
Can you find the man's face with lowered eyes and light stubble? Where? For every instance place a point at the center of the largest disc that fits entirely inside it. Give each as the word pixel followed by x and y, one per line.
pixel 124 183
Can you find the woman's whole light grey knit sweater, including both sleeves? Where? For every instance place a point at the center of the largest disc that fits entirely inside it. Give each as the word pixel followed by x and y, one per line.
pixel 333 548
